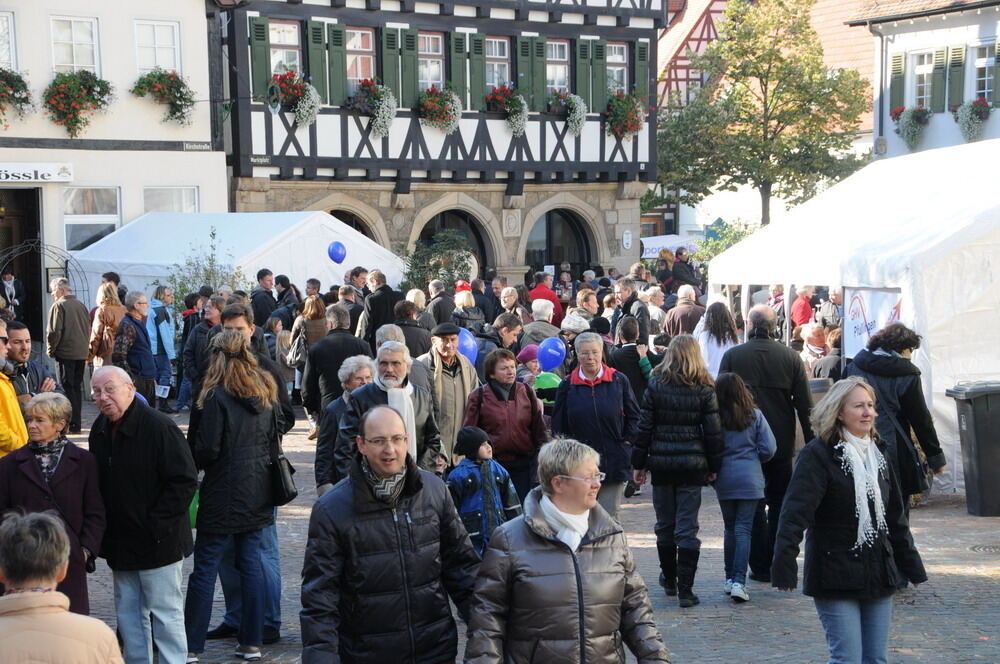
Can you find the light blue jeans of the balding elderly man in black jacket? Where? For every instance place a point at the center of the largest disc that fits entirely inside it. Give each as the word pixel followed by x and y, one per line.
pixel 151 596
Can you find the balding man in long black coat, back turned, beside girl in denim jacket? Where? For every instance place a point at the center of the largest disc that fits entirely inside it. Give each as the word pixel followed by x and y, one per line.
pixel 777 378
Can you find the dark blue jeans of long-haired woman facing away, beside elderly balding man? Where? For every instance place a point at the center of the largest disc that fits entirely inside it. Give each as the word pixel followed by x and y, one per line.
pixel 208 551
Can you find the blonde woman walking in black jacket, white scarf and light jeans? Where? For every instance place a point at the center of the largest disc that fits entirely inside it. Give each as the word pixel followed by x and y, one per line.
pixel 859 549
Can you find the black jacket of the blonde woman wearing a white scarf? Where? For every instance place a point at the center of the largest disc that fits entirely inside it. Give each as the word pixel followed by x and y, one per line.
pixel 820 500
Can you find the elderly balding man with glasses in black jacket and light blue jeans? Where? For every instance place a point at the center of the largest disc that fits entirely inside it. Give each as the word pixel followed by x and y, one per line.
pixel 147 478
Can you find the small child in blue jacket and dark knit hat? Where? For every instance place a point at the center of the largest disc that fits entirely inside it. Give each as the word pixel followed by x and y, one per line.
pixel 481 488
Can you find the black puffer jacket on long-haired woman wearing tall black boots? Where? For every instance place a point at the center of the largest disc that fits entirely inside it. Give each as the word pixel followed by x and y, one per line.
pixel 680 435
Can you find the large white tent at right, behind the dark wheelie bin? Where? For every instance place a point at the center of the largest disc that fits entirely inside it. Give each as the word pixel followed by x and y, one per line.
pixel 927 224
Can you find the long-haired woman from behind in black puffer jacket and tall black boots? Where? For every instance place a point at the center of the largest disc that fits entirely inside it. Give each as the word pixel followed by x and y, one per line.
pixel 680 444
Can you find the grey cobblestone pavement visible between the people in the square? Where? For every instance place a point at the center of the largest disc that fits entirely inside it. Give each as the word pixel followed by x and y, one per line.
pixel 952 619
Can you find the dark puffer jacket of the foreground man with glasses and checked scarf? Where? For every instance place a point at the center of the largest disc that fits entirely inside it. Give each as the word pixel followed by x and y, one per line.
pixel 376 580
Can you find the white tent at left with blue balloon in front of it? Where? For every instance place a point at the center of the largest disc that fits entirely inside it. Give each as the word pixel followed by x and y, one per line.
pixel 292 243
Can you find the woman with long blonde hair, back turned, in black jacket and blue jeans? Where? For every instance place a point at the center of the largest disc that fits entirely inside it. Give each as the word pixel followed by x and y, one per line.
pixel 240 423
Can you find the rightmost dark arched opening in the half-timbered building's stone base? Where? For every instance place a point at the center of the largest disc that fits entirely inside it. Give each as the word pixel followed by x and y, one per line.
pixel 559 236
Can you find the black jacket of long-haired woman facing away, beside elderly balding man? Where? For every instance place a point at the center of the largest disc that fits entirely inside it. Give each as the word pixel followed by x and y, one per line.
pixel 233 446
